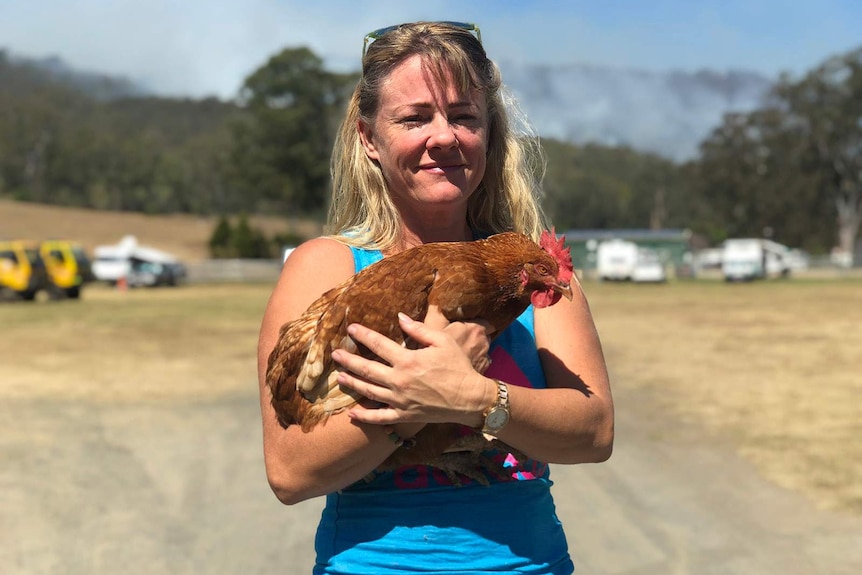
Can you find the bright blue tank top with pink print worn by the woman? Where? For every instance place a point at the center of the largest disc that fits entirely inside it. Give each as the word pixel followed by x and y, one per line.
pixel 414 520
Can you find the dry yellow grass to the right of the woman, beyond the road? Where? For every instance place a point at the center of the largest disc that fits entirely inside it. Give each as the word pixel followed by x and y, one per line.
pixel 772 367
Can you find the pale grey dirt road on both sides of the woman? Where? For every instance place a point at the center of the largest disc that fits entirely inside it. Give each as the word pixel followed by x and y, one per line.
pixel 178 488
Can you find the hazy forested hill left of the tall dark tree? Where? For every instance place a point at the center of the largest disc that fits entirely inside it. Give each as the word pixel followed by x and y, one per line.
pixel 91 141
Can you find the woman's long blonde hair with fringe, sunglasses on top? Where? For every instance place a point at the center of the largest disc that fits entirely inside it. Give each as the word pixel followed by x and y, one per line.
pixel 508 197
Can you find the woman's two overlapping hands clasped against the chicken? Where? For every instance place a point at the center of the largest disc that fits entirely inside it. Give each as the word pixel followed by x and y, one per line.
pixel 437 383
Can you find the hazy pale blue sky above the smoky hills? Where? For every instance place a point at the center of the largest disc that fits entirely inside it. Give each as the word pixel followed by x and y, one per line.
pixel 207 47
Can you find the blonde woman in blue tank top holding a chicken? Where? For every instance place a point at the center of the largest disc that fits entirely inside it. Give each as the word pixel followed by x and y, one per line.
pixel 427 153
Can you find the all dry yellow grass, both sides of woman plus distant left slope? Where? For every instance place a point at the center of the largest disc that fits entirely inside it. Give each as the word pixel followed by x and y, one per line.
pixel 772 367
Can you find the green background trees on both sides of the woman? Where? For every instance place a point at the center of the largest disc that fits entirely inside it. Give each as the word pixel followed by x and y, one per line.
pixel 791 170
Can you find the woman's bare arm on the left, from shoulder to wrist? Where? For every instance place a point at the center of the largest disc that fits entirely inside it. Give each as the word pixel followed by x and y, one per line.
pixel 335 454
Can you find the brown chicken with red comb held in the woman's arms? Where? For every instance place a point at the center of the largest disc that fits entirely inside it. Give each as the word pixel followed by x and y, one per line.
pixel 494 279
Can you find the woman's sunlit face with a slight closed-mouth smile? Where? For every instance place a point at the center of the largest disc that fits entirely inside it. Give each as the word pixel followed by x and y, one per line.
pixel 430 142
